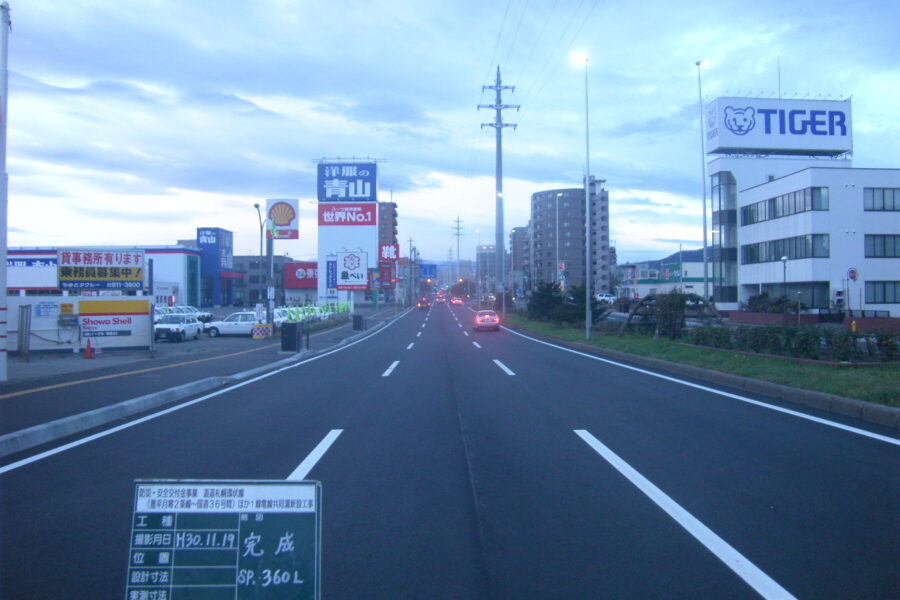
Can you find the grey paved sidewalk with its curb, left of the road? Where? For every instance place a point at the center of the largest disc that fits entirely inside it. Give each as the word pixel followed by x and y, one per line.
pixel 54 396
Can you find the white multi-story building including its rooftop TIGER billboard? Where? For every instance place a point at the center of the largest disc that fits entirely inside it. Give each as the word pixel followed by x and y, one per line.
pixel 791 216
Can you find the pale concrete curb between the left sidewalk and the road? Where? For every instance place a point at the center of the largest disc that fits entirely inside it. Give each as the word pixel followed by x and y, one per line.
pixel 30 437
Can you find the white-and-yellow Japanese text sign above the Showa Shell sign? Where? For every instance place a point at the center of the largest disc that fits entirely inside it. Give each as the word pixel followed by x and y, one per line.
pixel 100 269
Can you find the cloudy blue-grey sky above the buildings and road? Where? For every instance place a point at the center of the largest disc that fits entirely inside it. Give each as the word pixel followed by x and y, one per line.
pixel 135 122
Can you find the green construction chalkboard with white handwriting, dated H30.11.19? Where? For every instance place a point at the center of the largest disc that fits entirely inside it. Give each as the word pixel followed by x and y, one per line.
pixel 211 540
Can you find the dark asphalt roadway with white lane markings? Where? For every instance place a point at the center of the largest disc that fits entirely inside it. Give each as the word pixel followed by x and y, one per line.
pixel 487 465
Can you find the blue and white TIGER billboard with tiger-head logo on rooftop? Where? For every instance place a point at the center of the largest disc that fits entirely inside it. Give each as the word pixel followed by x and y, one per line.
pixel 775 126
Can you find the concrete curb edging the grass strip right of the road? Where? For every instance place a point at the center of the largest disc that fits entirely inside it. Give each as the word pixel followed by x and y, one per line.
pixel 859 409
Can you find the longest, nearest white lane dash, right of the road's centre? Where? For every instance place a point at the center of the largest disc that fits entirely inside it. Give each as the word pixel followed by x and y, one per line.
pixel 764 585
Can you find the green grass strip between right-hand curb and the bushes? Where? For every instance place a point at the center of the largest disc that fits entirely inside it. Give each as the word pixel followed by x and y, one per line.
pixel 872 384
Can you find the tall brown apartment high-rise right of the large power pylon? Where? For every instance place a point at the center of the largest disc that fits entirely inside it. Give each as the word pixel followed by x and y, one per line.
pixel 558 237
